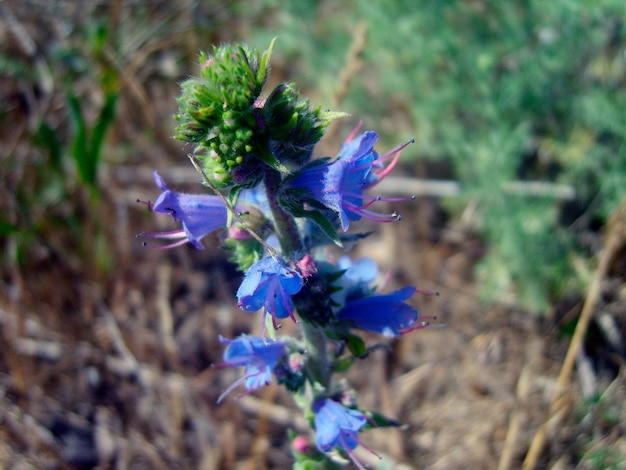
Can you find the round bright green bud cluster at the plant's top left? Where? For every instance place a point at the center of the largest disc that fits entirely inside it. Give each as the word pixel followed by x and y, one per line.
pixel 218 113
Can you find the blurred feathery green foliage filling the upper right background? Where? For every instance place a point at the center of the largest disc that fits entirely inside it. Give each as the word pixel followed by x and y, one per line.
pixel 498 92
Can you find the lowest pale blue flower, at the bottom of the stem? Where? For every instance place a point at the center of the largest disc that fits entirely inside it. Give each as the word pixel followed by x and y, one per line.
pixel 336 425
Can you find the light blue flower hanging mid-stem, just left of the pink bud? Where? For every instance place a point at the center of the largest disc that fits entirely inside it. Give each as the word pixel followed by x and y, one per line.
pixel 269 284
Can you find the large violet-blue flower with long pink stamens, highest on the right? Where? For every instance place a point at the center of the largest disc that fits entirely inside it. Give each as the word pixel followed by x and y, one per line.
pixel 339 185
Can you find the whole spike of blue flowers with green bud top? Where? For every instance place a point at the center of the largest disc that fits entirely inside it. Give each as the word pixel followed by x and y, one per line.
pixel 277 210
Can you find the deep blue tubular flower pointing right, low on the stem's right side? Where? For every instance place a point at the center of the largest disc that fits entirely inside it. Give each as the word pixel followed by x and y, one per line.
pixel 387 314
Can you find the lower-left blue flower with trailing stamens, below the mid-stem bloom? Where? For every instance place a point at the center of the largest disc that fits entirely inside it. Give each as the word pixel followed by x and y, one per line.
pixel 258 355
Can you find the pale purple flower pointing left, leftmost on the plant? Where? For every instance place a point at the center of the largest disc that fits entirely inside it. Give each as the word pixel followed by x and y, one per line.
pixel 199 215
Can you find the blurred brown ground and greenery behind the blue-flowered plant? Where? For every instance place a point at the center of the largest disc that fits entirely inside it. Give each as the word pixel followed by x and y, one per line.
pixel 518 109
